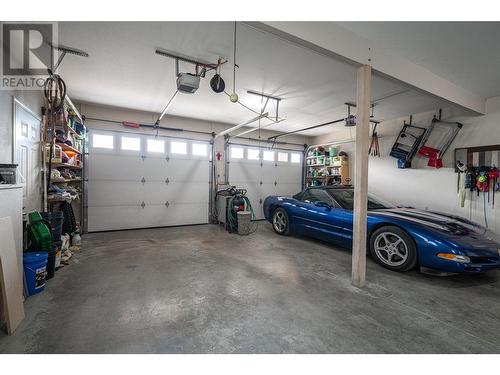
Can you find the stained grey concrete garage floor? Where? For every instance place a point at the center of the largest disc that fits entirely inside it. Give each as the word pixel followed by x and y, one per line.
pixel 201 290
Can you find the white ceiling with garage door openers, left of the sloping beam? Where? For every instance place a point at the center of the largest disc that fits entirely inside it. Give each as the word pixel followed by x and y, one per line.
pixel 123 70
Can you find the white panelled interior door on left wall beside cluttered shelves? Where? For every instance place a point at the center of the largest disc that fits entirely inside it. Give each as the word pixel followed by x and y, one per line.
pixel 27 155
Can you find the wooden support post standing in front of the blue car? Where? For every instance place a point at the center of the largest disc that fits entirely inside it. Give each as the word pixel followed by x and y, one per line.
pixel 361 175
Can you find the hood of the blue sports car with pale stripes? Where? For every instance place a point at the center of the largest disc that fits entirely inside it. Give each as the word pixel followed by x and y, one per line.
pixel 463 232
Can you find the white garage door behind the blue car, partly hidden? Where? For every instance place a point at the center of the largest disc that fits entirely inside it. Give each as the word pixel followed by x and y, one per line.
pixel 264 172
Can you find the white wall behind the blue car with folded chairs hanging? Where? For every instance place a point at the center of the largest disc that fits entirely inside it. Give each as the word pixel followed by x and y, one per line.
pixel 424 187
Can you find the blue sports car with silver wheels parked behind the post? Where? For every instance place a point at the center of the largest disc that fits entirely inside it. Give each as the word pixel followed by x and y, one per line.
pixel 399 239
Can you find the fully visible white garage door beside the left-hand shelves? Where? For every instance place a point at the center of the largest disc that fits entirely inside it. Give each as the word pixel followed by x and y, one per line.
pixel 139 181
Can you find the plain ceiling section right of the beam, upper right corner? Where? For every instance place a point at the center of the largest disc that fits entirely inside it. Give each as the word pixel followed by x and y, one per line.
pixel 465 53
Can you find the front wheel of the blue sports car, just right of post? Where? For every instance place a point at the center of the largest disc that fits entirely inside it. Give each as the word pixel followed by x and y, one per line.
pixel 393 248
